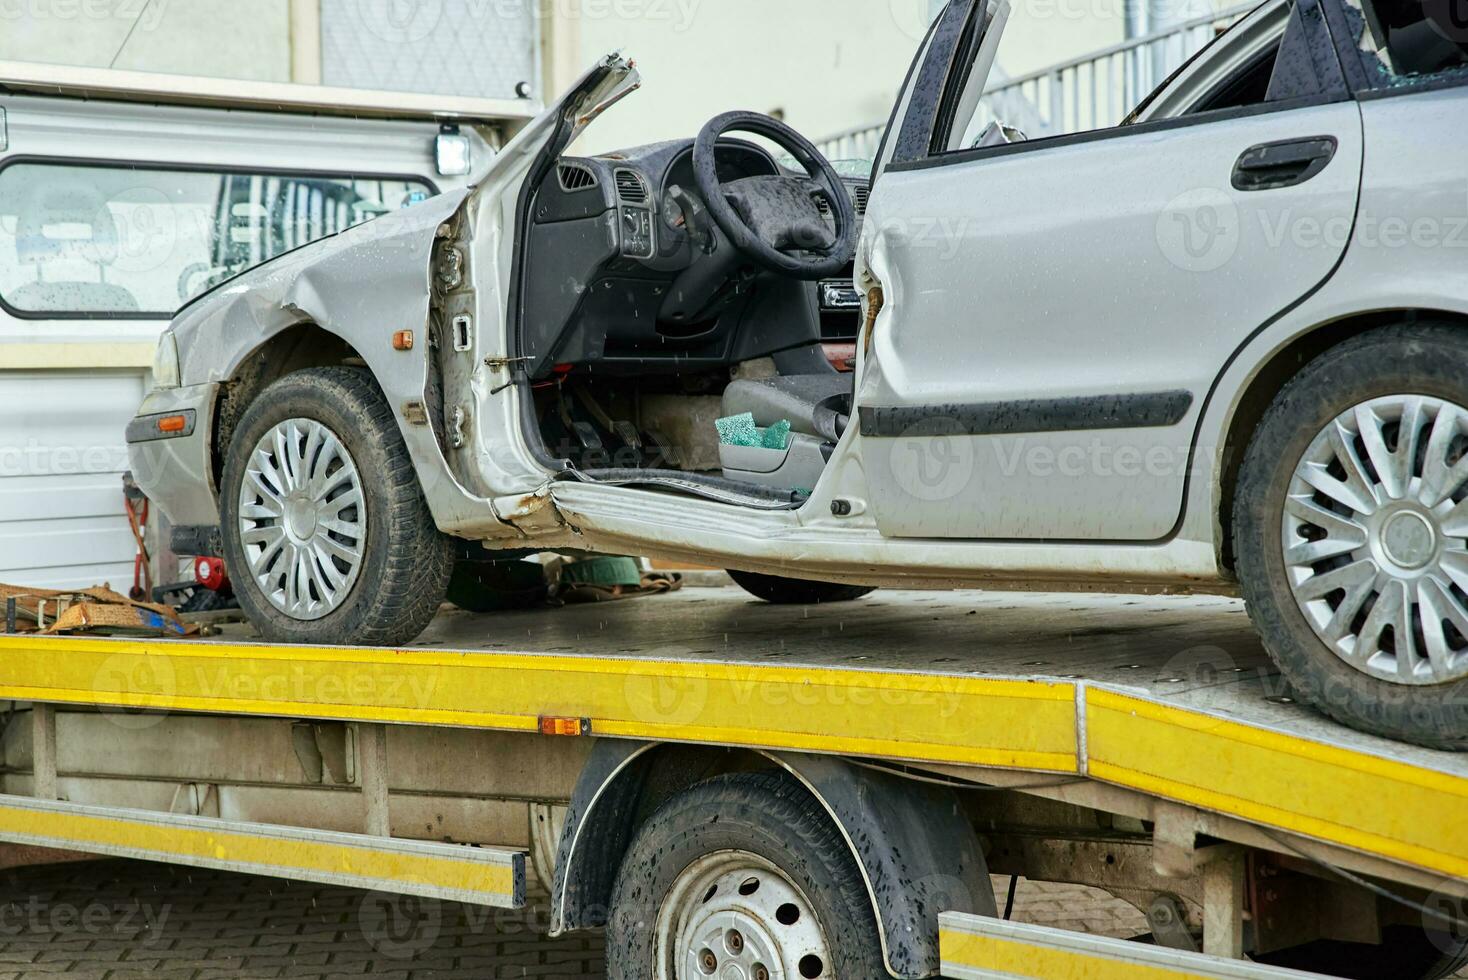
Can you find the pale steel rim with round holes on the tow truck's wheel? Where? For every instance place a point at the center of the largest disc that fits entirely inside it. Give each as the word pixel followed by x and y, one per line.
pixel 735 916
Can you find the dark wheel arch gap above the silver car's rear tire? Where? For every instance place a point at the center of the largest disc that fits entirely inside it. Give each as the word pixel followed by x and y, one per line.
pixel 1271 379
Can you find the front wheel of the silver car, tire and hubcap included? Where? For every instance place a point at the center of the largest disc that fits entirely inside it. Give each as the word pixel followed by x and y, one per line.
pixel 328 538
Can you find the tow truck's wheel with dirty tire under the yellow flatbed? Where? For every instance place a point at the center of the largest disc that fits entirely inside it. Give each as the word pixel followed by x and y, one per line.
pixel 742 875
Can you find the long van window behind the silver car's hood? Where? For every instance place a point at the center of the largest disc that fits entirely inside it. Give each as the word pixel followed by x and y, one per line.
pixel 81 240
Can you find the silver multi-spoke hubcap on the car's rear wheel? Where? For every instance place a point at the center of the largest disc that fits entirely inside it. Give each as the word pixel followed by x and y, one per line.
pixel 1376 539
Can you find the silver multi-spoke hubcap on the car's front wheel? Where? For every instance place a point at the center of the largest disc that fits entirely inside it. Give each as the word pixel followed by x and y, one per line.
pixel 303 520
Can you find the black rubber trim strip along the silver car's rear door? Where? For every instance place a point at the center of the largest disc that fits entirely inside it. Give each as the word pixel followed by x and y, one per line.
pixel 1036 416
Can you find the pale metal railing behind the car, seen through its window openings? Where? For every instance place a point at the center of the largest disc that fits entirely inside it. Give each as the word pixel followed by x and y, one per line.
pixel 1093 92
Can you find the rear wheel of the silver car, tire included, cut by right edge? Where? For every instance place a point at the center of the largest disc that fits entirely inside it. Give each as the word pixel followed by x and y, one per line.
pixel 1276 485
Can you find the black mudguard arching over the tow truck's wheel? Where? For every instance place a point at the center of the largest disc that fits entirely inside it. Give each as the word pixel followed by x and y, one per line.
pixel 914 843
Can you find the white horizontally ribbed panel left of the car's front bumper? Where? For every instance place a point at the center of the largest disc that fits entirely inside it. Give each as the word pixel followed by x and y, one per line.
pixel 62 457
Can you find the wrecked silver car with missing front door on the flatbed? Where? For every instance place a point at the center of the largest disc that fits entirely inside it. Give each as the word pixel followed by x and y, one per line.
pixel 1178 354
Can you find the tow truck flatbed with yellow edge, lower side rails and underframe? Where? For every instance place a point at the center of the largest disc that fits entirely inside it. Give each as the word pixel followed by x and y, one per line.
pixel 1160 715
